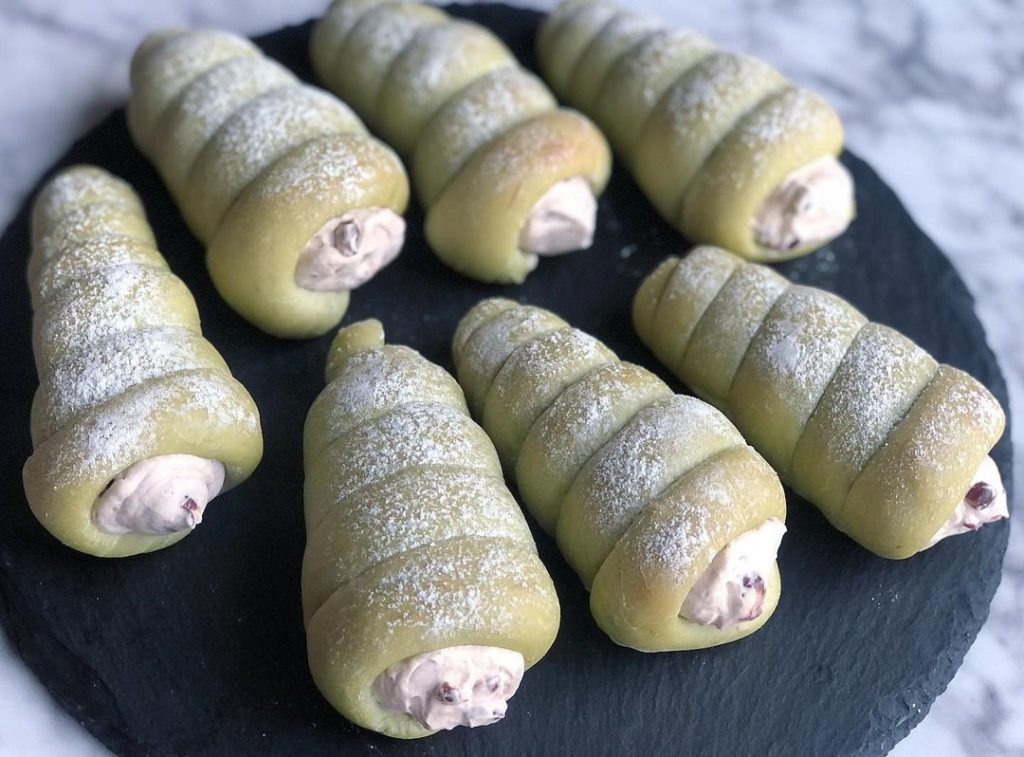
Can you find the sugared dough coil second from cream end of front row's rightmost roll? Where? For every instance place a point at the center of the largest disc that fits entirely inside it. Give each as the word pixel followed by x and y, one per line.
pixel 877 383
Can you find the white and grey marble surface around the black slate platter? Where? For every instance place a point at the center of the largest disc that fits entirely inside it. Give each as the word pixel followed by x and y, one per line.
pixel 932 94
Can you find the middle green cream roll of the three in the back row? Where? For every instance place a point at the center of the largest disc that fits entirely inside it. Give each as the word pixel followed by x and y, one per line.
pixel 504 175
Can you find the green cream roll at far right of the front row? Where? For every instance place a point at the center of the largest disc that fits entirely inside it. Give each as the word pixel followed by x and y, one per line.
pixel 889 445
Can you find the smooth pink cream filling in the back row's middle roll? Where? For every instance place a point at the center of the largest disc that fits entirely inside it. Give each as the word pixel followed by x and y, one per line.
pixel 563 221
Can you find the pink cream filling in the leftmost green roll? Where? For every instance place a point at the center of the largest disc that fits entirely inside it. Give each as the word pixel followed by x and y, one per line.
pixel 161 495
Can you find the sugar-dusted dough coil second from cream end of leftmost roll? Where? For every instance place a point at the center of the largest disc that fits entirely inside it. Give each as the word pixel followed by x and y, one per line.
pixel 96 373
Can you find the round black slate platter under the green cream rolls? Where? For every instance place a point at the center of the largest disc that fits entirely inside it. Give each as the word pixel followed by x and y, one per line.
pixel 200 649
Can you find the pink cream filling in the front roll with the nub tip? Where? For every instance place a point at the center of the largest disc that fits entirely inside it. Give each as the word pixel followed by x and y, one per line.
pixel 456 686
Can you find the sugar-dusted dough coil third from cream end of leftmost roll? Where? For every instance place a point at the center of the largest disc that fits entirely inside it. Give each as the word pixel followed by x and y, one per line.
pixel 110 302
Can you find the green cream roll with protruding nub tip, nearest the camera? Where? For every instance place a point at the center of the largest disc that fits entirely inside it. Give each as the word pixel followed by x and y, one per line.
pixel 423 595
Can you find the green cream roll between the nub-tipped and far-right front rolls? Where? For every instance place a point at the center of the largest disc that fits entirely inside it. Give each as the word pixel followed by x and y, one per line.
pixel 667 516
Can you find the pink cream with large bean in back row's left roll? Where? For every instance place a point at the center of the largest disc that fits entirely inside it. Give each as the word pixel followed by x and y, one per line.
pixel 350 249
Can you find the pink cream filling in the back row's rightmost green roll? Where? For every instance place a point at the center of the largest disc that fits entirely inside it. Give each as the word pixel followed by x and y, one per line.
pixel 814 205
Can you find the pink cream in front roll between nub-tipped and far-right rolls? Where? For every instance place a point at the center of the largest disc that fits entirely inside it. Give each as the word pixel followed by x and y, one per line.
pixel 733 588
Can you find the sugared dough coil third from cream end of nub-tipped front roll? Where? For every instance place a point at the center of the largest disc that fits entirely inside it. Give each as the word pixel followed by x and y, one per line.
pixel 414 435
